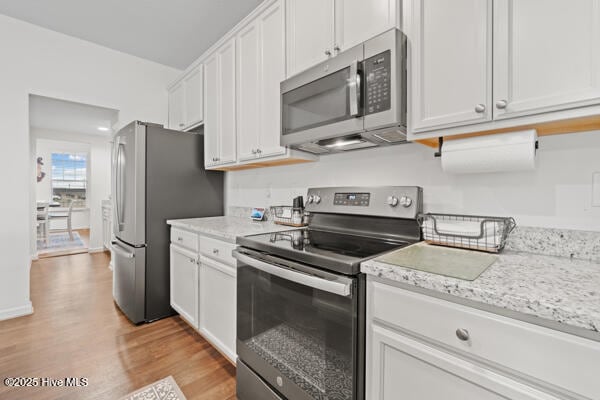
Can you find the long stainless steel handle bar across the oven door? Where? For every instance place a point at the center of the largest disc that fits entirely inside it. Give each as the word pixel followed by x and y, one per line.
pixel 340 286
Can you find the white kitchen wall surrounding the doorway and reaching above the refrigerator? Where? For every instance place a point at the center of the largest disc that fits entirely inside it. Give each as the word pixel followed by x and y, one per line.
pixel 43 62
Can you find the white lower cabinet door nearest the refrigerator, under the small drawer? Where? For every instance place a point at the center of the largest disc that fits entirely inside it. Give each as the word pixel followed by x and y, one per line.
pixel 184 283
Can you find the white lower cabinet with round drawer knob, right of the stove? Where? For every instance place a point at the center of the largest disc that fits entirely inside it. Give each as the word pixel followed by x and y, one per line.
pixel 421 347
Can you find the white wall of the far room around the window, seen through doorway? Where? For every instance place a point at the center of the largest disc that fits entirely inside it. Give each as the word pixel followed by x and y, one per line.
pixel 98 149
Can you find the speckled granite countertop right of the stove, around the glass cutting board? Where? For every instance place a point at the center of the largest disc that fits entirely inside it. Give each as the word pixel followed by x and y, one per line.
pixel 559 289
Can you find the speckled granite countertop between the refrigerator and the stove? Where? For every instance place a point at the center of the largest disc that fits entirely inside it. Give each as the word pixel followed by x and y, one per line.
pixel 227 228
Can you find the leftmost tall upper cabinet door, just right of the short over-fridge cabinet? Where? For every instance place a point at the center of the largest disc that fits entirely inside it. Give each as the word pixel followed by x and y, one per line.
pixel 211 115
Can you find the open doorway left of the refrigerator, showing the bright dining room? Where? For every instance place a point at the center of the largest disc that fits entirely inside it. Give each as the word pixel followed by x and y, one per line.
pixel 70 148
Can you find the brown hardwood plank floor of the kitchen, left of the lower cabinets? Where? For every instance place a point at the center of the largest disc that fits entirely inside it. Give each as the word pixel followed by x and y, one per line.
pixel 77 331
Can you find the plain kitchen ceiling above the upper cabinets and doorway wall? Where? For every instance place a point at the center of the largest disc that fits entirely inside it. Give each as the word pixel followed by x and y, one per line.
pixel 170 32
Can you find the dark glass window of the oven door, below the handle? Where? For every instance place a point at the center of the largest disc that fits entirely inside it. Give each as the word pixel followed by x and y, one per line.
pixel 307 335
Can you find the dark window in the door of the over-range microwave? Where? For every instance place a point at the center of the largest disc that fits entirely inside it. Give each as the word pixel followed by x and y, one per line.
pixel 318 103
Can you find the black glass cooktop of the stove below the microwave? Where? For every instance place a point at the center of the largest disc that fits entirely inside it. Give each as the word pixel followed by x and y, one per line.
pixel 336 251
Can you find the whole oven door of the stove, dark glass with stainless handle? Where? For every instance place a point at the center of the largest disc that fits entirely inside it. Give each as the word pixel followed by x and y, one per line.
pixel 299 328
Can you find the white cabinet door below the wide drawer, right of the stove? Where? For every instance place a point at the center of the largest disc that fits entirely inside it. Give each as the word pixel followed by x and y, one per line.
pixel 400 367
